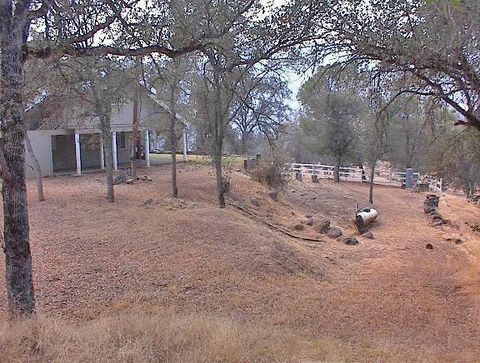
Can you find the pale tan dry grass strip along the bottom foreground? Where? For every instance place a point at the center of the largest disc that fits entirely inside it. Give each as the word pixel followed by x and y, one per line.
pixel 138 337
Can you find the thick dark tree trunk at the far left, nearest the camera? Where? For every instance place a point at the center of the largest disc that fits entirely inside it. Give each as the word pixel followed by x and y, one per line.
pixel 18 258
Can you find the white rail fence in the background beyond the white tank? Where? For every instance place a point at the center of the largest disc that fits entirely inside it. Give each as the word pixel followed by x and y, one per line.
pixel 357 174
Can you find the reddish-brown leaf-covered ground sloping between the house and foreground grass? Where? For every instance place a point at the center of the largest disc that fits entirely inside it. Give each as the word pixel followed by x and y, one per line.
pixel 387 299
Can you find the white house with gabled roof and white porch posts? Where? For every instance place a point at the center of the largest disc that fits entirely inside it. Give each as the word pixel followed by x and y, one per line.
pixel 66 140
